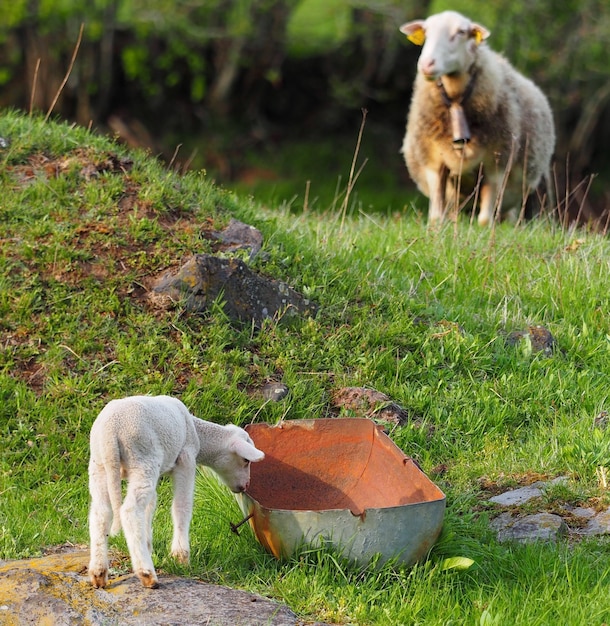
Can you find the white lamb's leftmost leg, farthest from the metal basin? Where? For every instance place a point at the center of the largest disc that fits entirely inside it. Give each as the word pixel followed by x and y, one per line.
pixel 100 519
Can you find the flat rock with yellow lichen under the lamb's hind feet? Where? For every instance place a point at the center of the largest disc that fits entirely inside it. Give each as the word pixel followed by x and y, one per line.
pixel 34 589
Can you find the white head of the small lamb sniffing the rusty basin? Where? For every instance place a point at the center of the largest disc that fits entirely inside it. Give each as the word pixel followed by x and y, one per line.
pixel 233 463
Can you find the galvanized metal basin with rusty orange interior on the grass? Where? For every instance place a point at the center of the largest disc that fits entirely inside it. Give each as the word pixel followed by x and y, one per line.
pixel 343 482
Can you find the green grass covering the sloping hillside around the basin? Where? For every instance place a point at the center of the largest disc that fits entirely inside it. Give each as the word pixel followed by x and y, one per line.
pixel 419 314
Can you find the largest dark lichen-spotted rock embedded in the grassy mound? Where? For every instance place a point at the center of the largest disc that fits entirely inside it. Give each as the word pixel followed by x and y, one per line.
pixel 246 296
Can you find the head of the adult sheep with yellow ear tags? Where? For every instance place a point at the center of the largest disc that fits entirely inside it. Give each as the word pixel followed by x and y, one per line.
pixel 449 43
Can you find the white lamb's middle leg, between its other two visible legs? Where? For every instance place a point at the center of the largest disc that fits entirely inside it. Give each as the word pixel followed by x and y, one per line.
pixel 141 493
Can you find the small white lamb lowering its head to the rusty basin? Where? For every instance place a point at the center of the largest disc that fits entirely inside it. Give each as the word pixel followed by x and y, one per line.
pixel 140 438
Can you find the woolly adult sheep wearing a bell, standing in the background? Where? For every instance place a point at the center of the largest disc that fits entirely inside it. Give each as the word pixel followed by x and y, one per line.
pixel 472 113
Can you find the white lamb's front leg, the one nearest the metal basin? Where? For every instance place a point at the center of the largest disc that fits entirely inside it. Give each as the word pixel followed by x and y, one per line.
pixel 183 476
